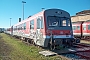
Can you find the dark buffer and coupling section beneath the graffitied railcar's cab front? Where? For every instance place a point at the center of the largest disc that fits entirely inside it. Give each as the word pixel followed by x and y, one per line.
pixel 59 43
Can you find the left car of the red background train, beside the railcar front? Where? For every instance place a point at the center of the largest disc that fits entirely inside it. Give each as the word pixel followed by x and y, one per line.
pixel 77 29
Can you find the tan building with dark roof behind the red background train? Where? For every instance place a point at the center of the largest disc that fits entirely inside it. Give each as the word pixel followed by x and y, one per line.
pixel 81 16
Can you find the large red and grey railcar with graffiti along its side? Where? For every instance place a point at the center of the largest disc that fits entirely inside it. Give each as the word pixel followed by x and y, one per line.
pixel 46 27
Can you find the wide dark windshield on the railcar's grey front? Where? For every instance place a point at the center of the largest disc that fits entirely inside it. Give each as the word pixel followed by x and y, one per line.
pixel 58 21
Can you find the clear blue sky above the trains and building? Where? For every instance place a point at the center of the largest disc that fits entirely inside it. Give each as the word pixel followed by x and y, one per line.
pixel 14 8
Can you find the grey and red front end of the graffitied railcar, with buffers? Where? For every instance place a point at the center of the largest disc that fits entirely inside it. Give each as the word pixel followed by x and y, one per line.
pixel 58 28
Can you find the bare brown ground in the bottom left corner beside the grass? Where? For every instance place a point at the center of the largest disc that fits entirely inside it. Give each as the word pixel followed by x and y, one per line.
pixel 5 50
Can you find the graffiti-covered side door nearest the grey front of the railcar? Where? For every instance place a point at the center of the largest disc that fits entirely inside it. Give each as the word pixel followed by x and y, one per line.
pixel 39 35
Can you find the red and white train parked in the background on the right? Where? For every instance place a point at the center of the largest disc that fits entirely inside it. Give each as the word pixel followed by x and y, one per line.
pixel 81 29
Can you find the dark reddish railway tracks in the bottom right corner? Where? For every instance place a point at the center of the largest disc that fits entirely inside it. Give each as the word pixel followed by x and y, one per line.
pixel 82 52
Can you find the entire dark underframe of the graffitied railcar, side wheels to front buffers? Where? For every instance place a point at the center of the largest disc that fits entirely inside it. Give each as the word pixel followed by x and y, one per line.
pixel 52 43
